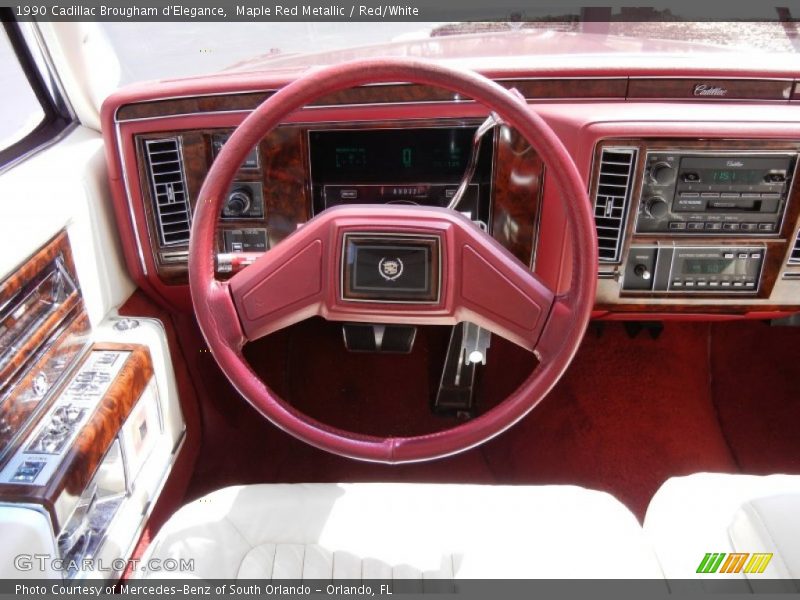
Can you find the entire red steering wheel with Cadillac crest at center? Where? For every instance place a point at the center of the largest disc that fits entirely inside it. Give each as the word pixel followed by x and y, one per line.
pixel 470 277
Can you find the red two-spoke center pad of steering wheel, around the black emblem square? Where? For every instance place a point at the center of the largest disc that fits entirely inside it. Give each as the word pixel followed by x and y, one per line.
pixel 480 281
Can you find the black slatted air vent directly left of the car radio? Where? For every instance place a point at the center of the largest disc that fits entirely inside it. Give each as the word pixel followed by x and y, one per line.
pixel 611 200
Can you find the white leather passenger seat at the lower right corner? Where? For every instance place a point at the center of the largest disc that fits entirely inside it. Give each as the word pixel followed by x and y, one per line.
pixel 718 513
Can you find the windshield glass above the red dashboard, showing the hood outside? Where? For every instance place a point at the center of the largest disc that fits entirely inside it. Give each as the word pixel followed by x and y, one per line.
pixel 170 50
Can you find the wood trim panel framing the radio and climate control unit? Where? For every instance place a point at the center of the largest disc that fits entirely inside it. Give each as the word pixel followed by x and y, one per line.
pixel 777 247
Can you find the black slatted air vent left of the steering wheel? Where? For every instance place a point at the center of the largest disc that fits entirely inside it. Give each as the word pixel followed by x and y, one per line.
pixel 168 185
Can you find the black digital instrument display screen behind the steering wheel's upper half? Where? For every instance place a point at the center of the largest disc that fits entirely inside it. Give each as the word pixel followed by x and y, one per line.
pixel 424 155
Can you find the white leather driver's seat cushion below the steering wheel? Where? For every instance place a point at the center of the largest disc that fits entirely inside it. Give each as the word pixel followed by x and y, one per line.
pixel 402 531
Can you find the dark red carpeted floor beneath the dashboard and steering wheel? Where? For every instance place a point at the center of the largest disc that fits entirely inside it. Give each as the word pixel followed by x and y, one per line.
pixel 628 414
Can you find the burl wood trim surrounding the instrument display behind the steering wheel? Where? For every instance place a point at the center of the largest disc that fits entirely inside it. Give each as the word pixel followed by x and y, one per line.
pixel 516 186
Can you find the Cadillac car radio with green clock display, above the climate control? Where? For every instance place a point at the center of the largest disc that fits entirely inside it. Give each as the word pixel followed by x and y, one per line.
pixel 724 193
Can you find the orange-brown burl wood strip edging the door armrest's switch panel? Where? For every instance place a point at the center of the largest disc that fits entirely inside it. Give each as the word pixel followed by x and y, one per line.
pixel 82 459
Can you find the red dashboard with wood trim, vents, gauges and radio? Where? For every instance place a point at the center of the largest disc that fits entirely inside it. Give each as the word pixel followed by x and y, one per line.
pixel 695 196
